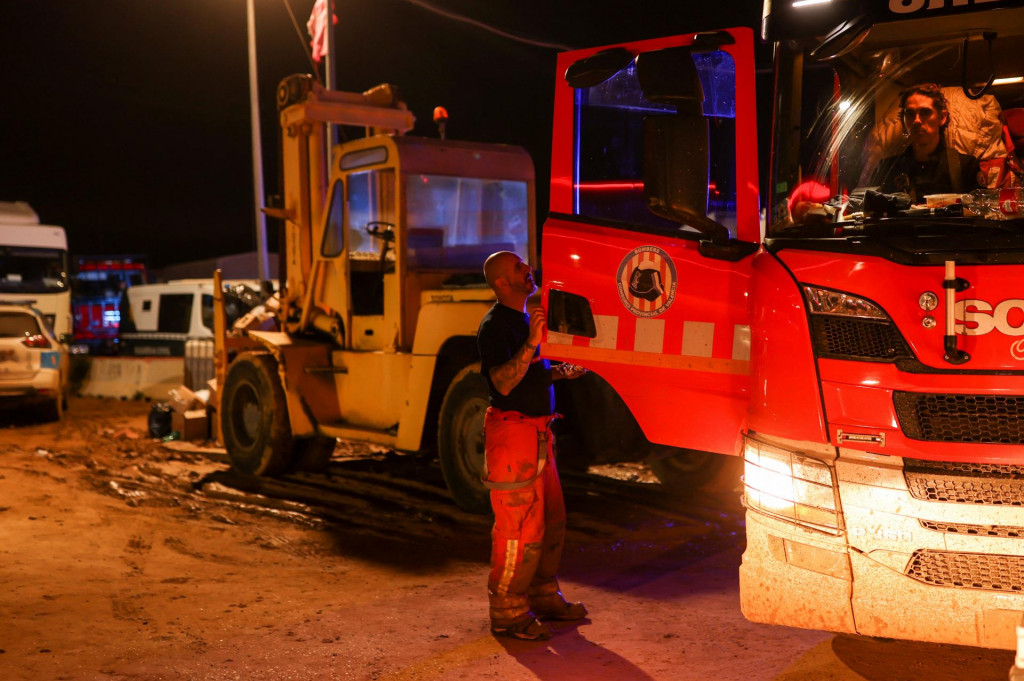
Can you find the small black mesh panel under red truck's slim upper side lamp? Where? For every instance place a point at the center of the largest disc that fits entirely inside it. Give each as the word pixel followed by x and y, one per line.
pixel 845 338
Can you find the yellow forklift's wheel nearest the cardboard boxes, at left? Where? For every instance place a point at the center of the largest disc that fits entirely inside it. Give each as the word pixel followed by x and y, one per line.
pixel 254 417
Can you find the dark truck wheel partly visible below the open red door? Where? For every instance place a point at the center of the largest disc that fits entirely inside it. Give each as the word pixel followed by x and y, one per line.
pixel 688 471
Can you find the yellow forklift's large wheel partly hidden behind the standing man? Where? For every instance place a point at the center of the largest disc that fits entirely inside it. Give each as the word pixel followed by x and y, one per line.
pixel 460 440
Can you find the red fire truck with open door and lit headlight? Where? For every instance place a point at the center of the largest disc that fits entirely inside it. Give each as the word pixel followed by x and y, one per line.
pixel 860 344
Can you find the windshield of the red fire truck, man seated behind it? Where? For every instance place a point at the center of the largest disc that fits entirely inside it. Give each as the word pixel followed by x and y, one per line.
pixel 899 130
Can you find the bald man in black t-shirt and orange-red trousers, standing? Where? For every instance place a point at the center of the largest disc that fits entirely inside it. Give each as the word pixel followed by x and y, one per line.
pixel 526 493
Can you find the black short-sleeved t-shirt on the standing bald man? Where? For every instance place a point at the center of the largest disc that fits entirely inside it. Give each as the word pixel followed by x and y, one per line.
pixel 503 331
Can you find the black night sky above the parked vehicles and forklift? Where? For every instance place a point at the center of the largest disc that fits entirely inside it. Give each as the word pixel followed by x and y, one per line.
pixel 127 121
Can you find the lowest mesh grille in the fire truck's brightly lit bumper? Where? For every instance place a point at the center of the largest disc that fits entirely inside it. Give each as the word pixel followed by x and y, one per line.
pixel 968 571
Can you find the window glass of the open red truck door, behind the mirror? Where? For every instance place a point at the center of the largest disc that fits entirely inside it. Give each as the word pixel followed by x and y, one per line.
pixel 610 147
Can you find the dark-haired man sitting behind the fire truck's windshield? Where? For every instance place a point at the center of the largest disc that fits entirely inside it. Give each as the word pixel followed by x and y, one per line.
pixel 928 166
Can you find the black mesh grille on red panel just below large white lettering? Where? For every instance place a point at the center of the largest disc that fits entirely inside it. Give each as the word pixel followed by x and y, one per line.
pixel 946 418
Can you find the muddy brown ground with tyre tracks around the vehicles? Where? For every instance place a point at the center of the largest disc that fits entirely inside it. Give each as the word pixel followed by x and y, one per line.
pixel 124 559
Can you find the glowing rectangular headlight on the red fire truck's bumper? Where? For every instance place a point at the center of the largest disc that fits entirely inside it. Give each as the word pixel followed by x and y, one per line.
pixel 790 486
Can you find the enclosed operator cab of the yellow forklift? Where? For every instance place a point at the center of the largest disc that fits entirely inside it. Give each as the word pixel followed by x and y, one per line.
pixel 409 216
